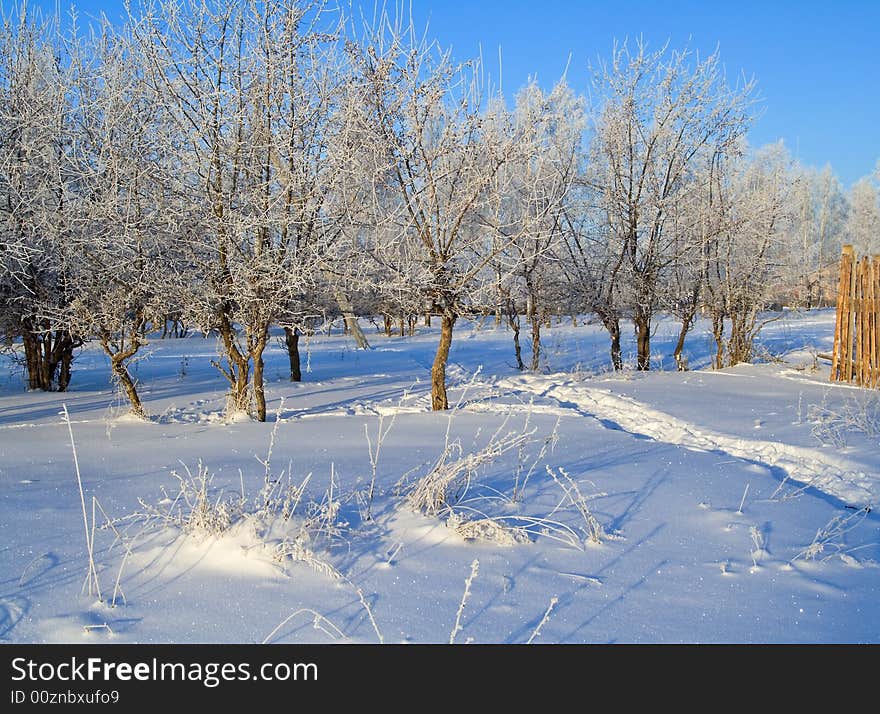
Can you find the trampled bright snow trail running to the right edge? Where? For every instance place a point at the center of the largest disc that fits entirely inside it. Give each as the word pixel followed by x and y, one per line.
pixel 833 476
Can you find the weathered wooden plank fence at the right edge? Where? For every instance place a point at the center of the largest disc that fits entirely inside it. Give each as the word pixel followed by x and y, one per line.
pixel 856 356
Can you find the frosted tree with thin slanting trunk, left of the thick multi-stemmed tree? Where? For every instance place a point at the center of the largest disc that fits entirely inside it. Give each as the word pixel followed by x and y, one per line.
pixel 122 237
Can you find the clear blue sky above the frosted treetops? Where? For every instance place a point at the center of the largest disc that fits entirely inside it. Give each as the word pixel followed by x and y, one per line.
pixel 817 63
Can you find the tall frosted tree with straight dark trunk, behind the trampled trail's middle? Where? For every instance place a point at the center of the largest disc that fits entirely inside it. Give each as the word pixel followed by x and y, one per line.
pixel 660 112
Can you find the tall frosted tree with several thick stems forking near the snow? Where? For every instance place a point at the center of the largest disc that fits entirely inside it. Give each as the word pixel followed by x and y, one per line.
pixel 248 87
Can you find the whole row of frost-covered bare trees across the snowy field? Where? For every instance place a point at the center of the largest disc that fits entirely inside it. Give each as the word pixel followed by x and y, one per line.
pixel 239 165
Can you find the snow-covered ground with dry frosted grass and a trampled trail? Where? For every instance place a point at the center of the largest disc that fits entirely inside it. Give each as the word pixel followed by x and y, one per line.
pixel 728 506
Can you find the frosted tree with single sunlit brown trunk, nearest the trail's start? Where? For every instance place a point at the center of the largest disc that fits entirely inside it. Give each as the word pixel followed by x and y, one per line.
pixel 432 165
